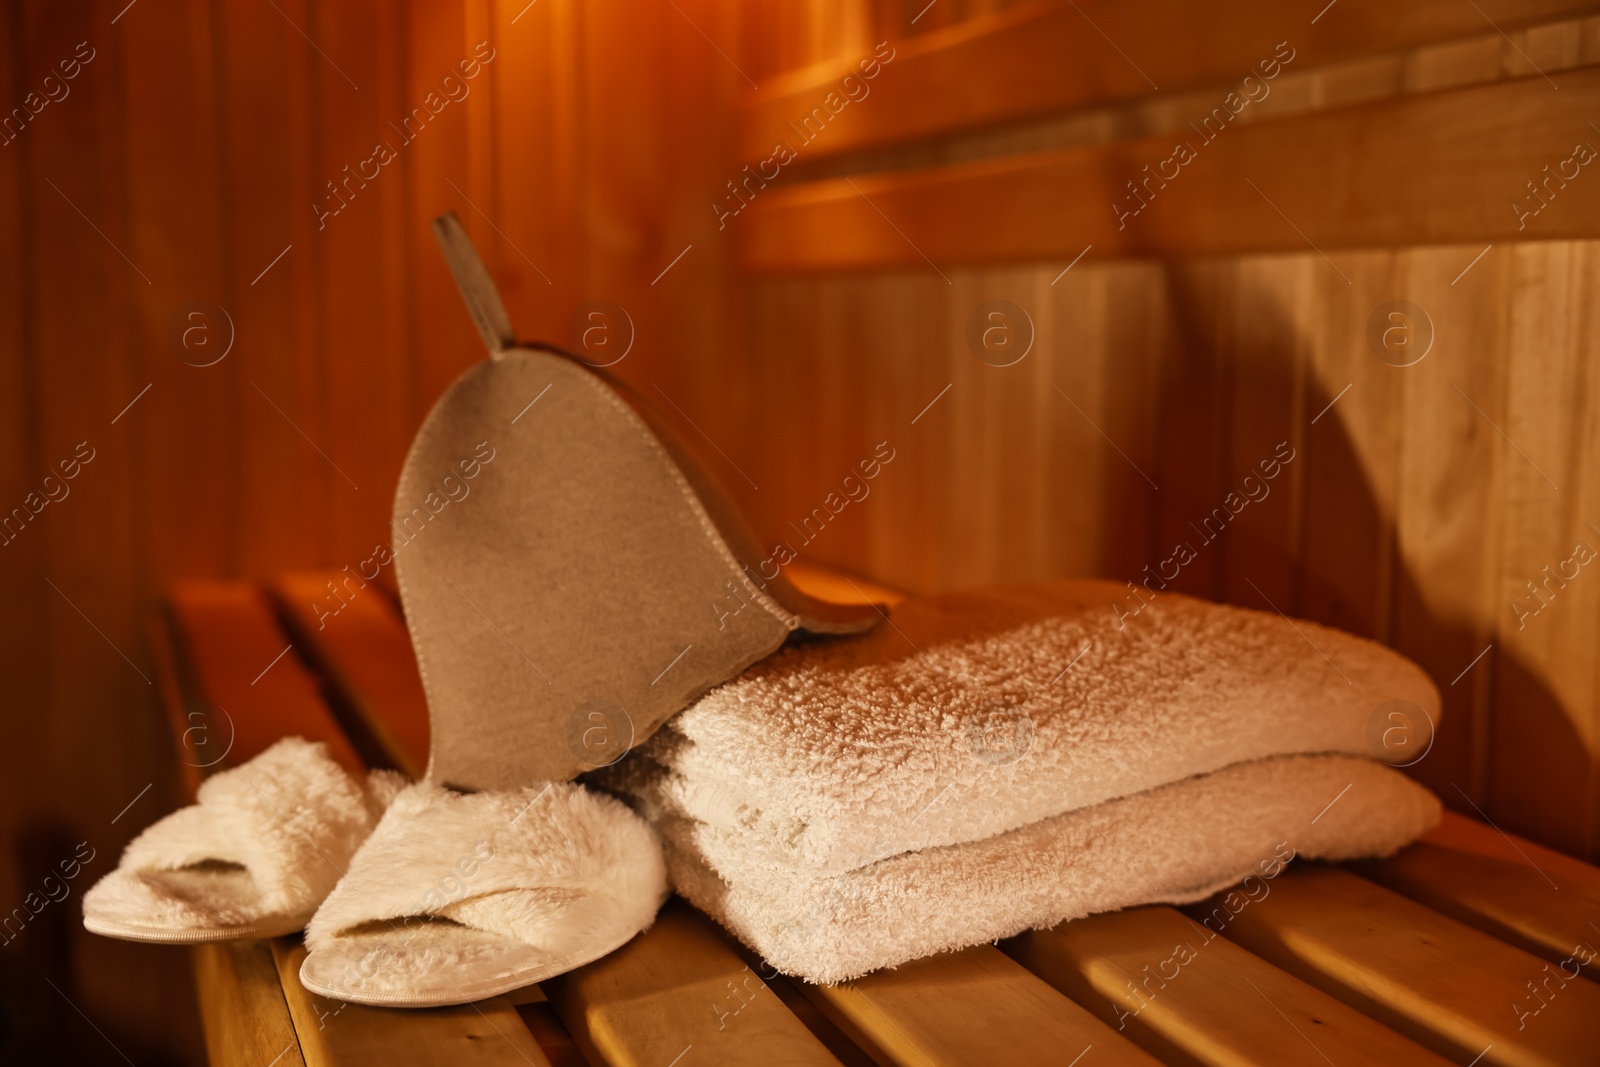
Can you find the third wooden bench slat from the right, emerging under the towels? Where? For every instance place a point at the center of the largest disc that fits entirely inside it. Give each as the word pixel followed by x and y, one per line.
pixel 1188 996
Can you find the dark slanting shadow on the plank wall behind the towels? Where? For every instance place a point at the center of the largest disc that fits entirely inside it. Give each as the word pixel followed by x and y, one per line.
pixel 1326 549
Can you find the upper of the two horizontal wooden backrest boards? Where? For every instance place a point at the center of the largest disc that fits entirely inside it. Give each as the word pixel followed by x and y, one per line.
pixel 1046 58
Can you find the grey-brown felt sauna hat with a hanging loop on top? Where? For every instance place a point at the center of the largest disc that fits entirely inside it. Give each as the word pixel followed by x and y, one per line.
pixel 593 578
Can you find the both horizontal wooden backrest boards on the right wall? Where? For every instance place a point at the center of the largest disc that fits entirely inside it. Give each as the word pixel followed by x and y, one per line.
pixel 1223 177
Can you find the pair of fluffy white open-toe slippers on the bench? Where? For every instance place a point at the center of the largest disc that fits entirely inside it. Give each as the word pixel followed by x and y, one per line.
pixel 410 895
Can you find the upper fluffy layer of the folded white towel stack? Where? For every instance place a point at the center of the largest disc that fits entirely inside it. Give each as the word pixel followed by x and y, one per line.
pixel 974 714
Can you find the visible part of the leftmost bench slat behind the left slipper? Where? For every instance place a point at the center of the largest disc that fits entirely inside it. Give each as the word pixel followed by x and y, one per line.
pixel 241 663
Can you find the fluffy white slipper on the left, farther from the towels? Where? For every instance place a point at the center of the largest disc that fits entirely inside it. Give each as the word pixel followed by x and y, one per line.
pixel 254 858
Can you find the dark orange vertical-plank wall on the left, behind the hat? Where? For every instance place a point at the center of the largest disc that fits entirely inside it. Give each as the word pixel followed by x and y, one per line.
pixel 188 162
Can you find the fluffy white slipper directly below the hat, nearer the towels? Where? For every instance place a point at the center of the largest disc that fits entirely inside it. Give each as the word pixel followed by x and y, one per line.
pixel 462 897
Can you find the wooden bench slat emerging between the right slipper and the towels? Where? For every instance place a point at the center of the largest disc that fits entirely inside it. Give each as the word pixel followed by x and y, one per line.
pixel 679 988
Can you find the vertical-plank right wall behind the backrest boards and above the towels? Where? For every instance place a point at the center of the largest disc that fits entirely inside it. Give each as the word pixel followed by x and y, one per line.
pixel 1420 503
